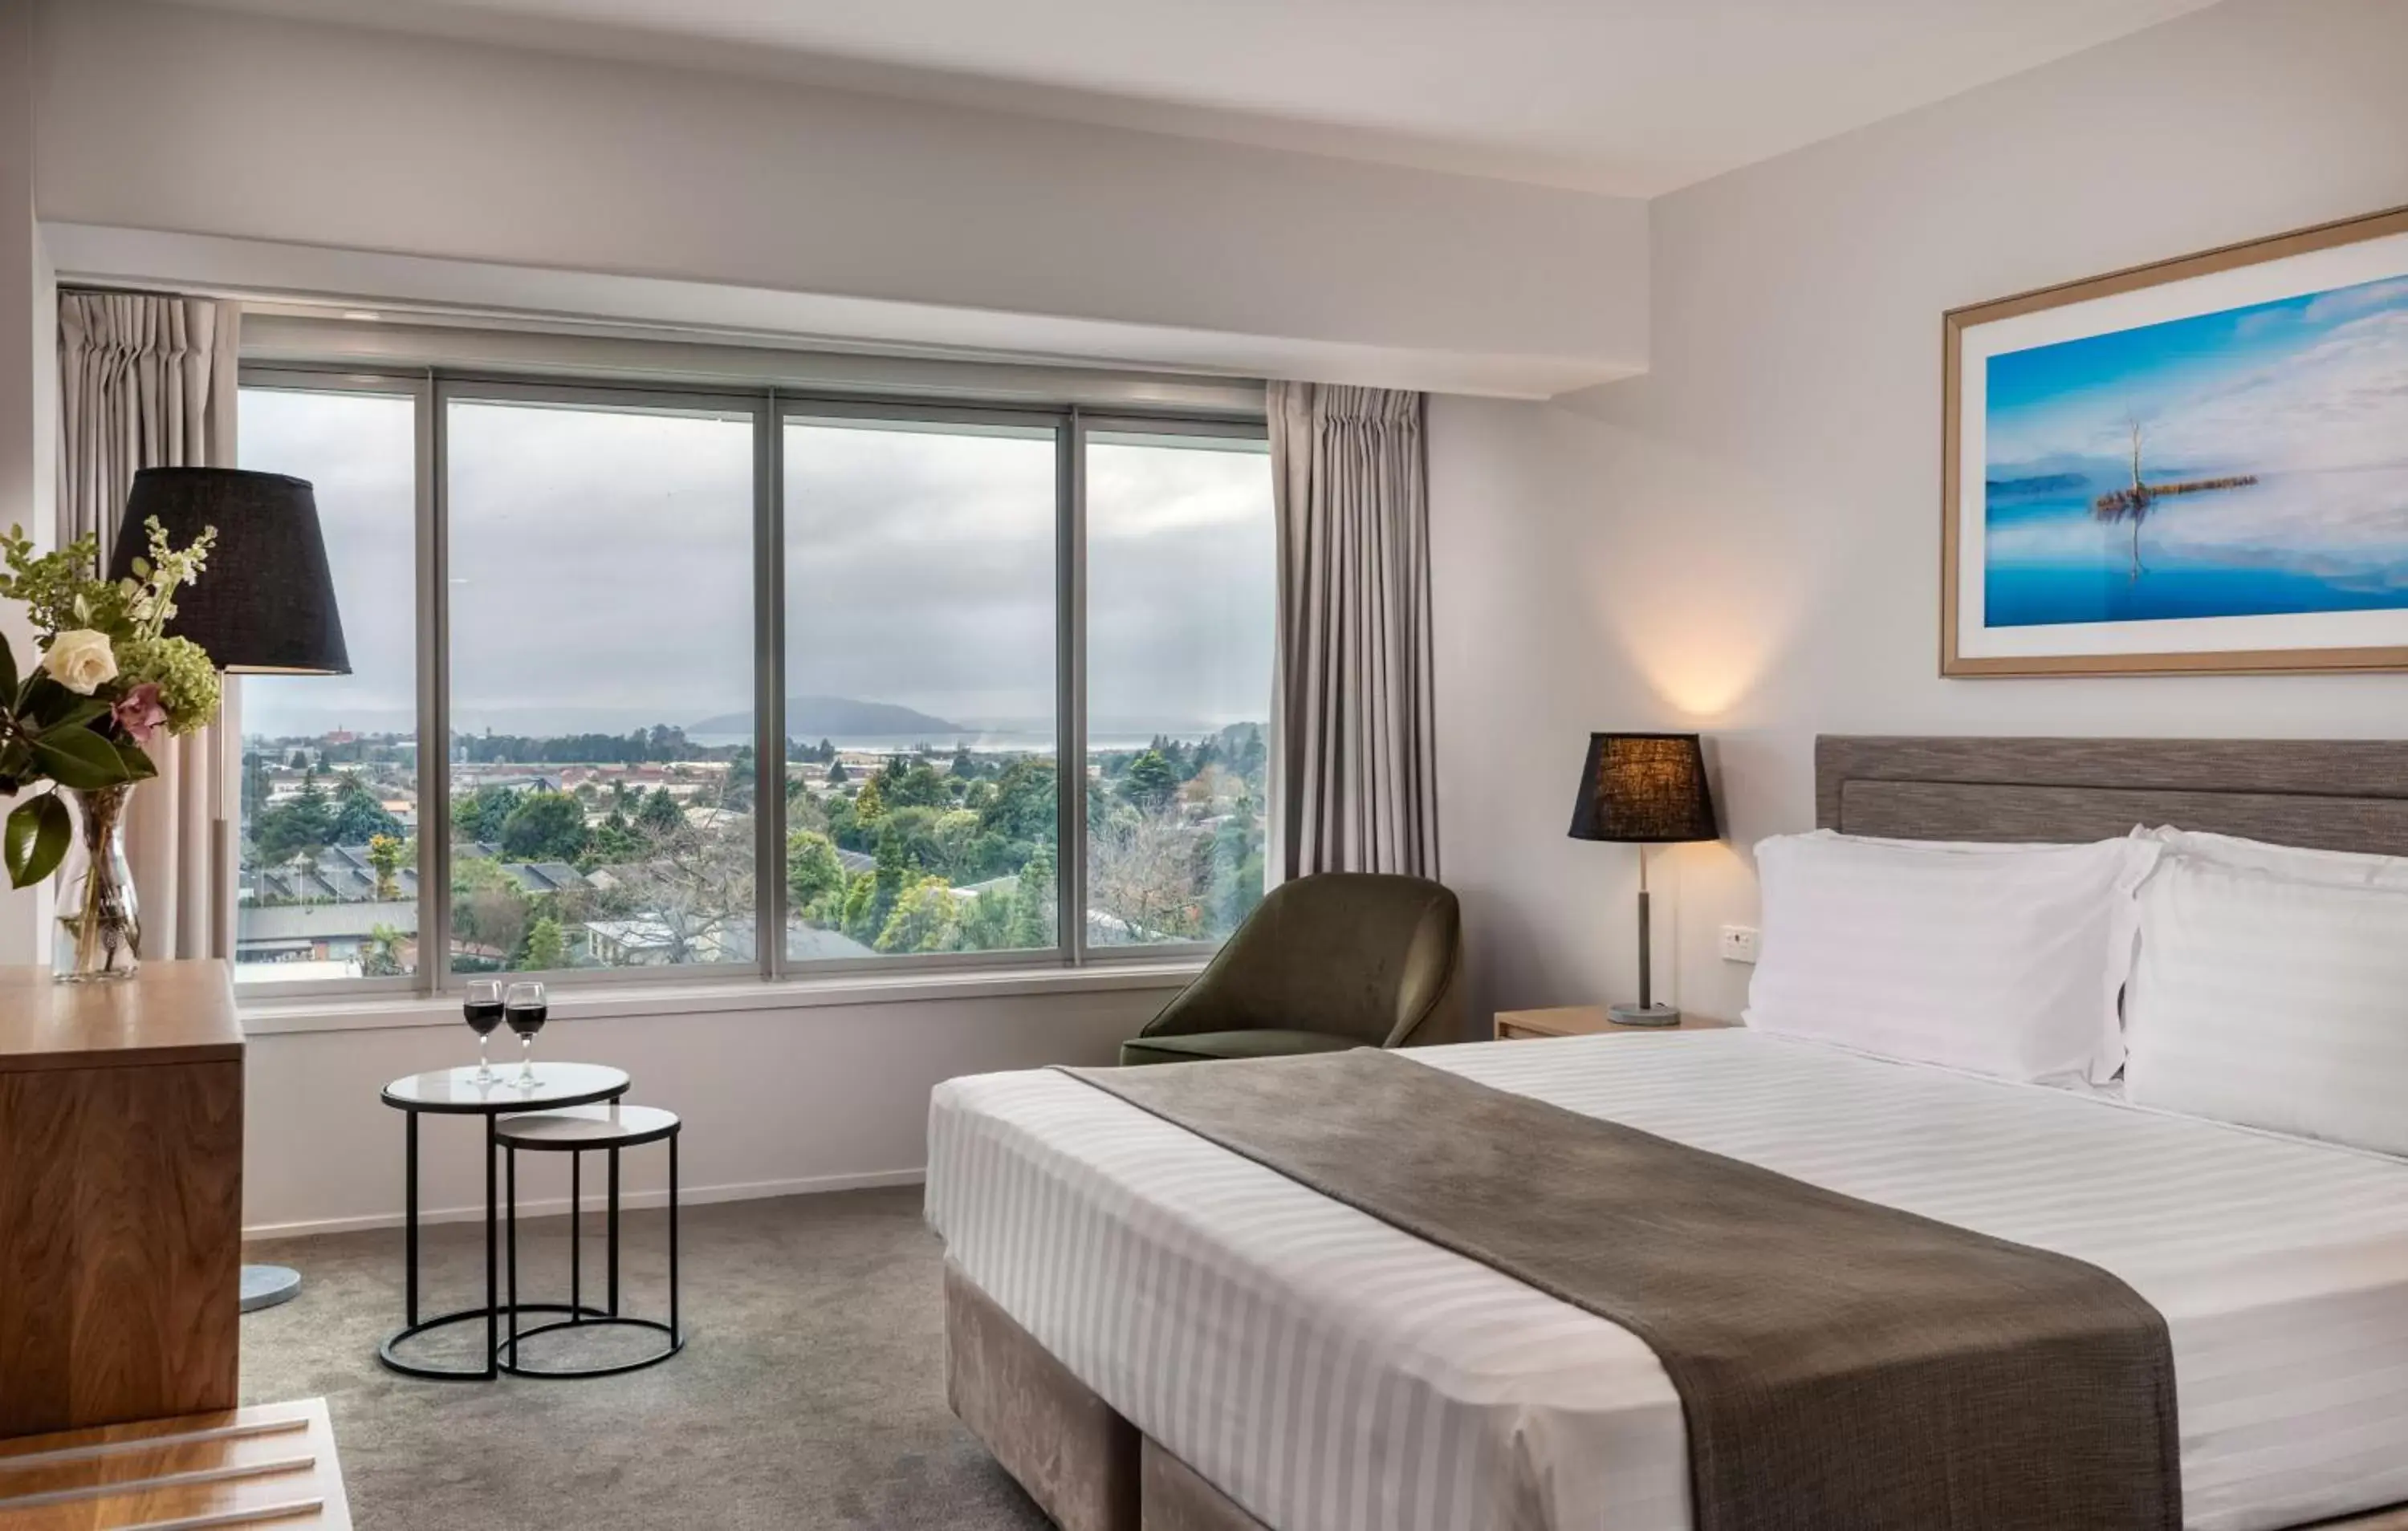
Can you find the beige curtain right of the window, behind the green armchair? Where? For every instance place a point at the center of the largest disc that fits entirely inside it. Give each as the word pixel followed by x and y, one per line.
pixel 1357 781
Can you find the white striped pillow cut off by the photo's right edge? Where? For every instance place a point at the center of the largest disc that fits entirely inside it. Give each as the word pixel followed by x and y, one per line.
pixel 2272 1003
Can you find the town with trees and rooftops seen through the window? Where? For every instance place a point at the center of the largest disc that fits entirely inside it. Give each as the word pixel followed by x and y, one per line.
pixel 603 851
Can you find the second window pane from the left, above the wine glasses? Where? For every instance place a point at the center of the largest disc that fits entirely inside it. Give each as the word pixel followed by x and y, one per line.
pixel 601 685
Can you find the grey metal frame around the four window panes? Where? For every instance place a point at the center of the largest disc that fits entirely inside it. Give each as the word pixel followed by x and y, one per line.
pixel 435 389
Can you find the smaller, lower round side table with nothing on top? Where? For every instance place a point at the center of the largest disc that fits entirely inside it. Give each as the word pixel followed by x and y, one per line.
pixel 574 1133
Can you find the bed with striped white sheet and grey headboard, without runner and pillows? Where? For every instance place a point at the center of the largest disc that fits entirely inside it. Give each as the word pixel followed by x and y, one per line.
pixel 1150 1330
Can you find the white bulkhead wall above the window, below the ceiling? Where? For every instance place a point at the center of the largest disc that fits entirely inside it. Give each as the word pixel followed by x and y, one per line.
pixel 199 122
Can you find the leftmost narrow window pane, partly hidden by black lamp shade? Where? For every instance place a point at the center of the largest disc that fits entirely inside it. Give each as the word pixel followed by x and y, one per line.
pixel 331 764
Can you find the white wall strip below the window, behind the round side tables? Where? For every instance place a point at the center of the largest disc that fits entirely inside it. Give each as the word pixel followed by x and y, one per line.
pixel 777 1101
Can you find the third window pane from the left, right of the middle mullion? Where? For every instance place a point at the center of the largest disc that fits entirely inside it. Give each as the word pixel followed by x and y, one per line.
pixel 921 634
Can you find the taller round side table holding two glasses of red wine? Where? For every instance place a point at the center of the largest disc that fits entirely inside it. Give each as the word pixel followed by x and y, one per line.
pixel 456 1094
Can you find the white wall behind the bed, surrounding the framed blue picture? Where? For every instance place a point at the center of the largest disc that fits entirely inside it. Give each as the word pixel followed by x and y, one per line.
pixel 1747 540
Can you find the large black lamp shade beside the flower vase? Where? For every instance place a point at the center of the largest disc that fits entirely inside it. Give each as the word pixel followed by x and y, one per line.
pixel 266 601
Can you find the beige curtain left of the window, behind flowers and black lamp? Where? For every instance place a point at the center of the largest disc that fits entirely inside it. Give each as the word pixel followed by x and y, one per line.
pixel 150 382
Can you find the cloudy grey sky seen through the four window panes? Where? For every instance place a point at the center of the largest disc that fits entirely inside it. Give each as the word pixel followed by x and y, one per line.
pixel 603 569
